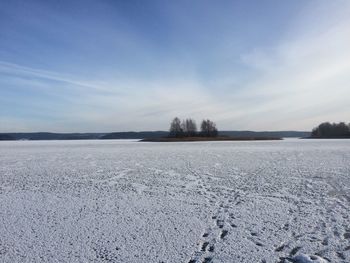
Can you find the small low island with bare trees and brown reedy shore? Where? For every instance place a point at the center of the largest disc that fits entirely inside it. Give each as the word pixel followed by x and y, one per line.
pixel 186 131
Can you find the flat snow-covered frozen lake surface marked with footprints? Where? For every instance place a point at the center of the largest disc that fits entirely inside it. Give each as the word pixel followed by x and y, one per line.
pixel 127 201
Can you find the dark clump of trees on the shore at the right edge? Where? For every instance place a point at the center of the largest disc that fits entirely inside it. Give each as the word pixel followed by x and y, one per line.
pixel 331 130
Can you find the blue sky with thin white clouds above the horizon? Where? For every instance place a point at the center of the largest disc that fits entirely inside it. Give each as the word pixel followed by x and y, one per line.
pixel 103 66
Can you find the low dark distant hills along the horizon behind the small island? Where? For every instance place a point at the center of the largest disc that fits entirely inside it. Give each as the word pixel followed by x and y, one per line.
pixel 139 135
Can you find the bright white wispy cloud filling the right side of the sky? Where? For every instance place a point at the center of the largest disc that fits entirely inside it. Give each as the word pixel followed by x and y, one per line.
pixel 304 78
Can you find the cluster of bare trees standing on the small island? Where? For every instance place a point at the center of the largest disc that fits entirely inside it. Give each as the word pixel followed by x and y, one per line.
pixel 188 128
